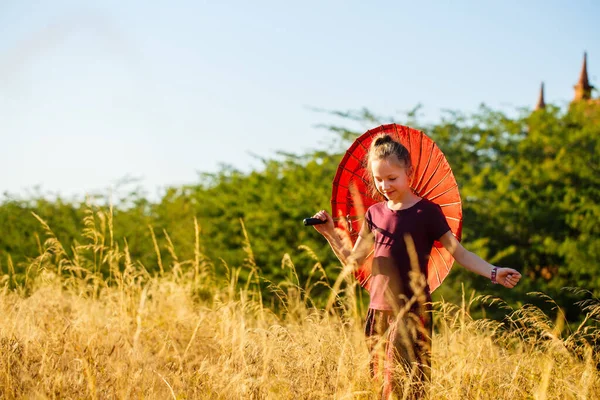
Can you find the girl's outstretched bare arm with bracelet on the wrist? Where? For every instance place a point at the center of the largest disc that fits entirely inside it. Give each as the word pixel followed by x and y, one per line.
pixel 507 277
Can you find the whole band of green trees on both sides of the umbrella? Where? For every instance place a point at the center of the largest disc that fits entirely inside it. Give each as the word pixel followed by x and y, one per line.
pixel 530 187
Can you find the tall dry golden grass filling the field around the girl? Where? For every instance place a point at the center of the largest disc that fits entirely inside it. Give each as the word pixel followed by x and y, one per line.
pixel 185 333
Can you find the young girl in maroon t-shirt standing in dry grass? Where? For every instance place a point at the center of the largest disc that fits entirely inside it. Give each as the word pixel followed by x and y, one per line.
pixel 403 229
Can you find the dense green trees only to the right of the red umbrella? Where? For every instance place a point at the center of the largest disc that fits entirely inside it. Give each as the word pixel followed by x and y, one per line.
pixel 531 192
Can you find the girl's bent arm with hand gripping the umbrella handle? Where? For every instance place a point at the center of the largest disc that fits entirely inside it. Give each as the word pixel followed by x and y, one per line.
pixel 342 245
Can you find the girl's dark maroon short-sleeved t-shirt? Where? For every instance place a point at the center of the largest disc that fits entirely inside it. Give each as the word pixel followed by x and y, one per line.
pixel 424 223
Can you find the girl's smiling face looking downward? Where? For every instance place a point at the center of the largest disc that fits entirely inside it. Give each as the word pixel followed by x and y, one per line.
pixel 392 177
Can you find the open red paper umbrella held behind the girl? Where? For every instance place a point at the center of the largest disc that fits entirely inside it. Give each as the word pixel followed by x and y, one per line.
pixel 432 180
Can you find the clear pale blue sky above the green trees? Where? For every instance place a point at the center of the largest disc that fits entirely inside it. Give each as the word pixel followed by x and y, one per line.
pixel 91 93
